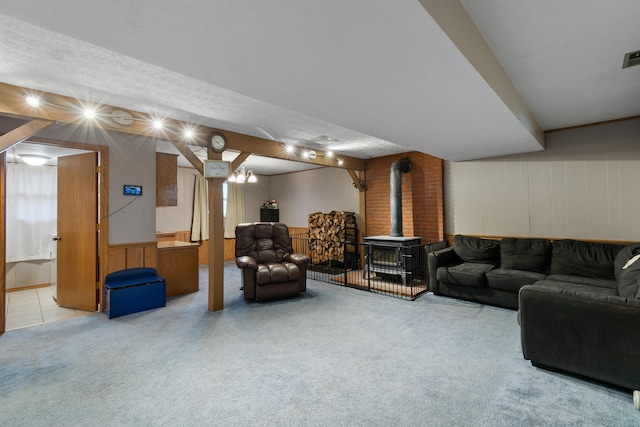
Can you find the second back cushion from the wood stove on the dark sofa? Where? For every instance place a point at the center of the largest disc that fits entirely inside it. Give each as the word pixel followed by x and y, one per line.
pixel 525 254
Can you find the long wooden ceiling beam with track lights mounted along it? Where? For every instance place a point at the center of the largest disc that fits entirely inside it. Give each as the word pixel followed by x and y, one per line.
pixel 64 109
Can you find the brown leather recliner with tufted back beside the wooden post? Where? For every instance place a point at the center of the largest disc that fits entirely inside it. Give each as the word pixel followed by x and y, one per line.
pixel 270 269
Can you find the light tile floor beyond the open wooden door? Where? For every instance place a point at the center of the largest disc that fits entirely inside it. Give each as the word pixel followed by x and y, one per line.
pixel 34 307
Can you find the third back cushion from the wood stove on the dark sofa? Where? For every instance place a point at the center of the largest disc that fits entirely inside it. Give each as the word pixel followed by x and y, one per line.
pixel 586 259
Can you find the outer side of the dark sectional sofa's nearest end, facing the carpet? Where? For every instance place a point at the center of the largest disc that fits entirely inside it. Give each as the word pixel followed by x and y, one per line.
pixel 587 334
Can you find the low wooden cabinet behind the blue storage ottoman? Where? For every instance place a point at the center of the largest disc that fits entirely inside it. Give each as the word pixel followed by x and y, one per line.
pixel 178 264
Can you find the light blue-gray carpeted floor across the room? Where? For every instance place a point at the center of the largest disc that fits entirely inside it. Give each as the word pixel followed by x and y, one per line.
pixel 335 356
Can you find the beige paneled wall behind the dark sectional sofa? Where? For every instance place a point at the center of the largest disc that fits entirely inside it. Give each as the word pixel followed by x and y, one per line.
pixel 586 184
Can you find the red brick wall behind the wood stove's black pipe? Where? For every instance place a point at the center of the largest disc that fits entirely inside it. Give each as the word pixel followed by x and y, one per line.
pixel 422 197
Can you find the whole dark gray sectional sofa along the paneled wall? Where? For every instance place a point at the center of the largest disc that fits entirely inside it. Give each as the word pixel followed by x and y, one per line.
pixel 578 301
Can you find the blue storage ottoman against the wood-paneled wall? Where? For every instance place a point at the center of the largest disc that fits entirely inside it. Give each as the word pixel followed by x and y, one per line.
pixel 133 290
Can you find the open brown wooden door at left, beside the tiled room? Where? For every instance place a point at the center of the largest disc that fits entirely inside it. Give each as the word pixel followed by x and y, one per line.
pixel 77 229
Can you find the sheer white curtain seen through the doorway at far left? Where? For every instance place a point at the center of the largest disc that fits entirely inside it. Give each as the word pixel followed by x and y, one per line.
pixel 31 211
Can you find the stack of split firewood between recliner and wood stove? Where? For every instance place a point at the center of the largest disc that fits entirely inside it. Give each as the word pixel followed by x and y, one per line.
pixel 327 232
